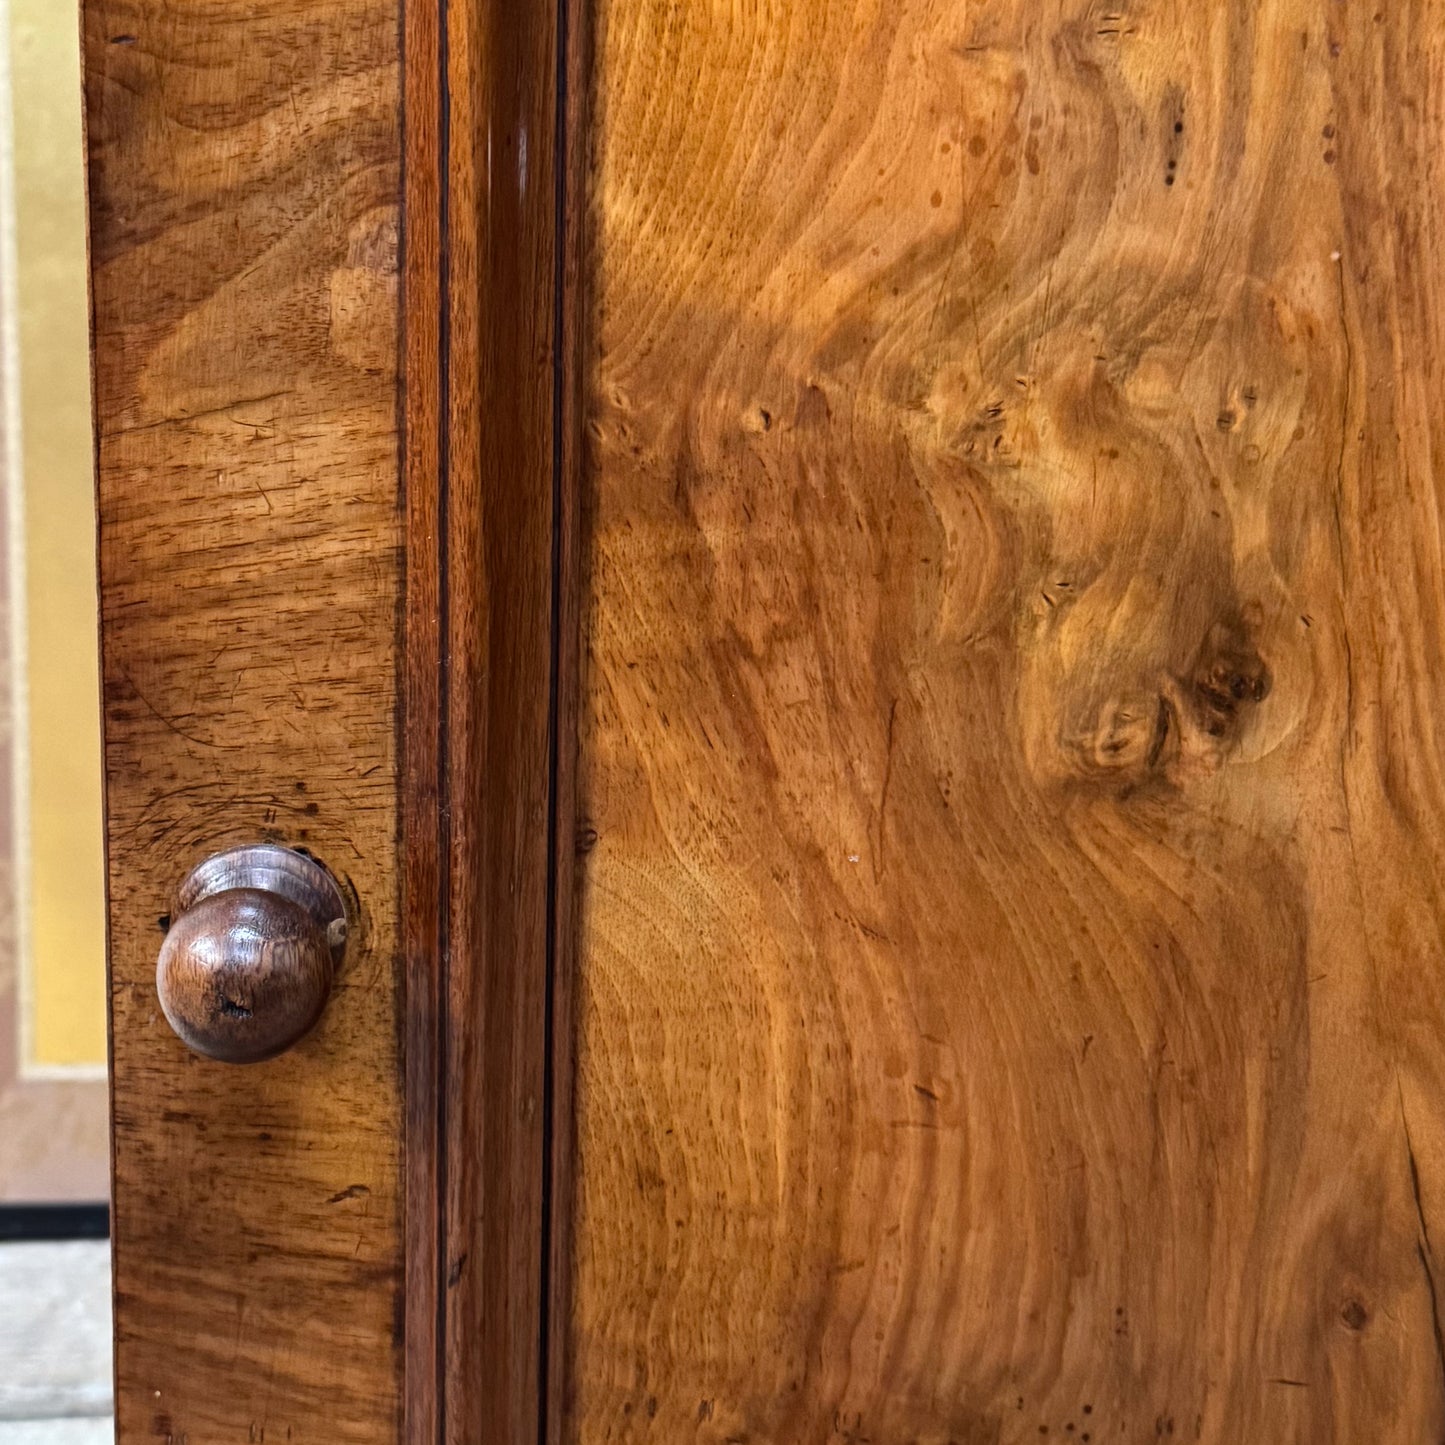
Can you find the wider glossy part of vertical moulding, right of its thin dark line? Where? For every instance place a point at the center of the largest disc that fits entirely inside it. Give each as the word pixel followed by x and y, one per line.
pixel 501 246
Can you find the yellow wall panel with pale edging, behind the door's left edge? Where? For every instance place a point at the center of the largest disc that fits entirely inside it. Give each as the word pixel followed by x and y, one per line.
pixel 63 904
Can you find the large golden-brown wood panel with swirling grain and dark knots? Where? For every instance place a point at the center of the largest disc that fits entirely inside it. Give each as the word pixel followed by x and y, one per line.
pixel 1011 940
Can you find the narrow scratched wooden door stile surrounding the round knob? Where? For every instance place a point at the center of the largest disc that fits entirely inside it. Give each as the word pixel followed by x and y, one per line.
pixel 245 180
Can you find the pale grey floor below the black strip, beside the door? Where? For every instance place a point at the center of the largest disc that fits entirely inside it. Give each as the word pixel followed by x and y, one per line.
pixel 56 1386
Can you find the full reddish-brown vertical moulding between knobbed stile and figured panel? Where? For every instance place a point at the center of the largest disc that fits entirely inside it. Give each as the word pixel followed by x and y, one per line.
pixel 483 609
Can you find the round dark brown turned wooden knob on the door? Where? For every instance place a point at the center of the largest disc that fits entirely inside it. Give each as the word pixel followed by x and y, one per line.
pixel 251 953
